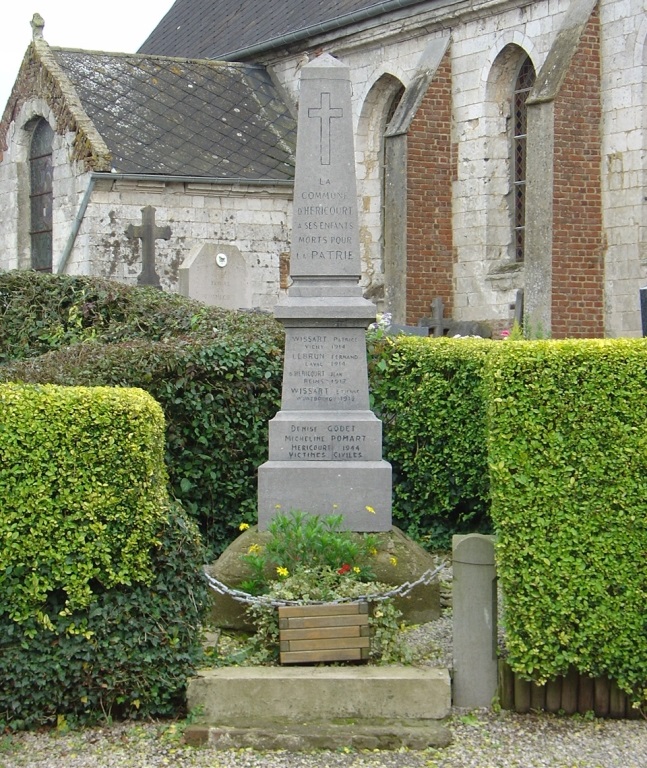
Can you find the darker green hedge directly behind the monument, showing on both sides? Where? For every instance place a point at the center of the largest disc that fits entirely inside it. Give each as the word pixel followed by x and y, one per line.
pixel 217 375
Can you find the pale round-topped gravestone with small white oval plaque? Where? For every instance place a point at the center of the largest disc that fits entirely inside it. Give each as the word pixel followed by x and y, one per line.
pixel 217 275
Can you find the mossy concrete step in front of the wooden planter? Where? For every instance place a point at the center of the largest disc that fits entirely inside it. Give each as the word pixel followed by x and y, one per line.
pixel 299 708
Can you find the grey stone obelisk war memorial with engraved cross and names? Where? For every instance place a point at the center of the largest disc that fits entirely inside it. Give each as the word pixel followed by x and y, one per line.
pixel 325 445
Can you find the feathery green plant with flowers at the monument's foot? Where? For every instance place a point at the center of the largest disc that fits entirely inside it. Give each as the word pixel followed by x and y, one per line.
pixel 298 540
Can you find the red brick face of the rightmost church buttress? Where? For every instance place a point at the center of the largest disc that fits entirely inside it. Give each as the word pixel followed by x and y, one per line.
pixel 578 238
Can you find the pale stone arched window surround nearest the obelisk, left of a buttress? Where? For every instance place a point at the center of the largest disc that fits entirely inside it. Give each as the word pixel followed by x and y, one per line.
pixel 376 110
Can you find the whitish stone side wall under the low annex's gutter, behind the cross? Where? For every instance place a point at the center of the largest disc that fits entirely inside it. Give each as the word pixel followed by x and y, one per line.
pixel 254 221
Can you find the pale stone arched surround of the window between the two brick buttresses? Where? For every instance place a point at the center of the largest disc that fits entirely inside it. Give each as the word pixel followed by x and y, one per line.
pixel 505 262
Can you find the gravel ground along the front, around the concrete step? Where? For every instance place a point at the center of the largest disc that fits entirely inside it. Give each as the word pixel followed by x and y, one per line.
pixel 482 739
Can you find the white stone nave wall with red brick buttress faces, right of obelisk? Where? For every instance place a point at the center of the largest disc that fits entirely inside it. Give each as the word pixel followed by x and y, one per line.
pixel 599 237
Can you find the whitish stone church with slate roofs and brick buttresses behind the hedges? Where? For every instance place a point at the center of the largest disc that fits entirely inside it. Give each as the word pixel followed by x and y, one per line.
pixel 501 156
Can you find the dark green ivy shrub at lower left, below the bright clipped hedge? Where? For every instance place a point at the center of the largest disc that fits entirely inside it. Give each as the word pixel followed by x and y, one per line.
pixel 139 645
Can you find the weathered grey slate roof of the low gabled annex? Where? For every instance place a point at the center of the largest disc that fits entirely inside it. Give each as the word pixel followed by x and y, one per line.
pixel 169 116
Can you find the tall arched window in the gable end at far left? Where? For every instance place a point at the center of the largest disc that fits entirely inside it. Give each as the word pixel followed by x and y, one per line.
pixel 40 195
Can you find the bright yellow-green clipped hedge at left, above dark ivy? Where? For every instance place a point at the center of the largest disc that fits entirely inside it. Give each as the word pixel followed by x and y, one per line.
pixel 83 489
